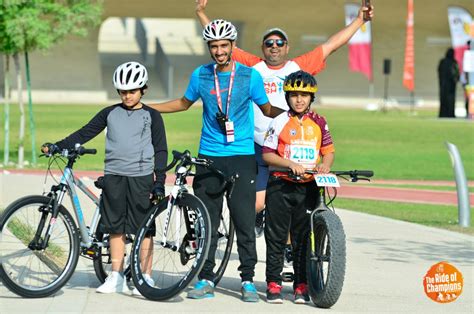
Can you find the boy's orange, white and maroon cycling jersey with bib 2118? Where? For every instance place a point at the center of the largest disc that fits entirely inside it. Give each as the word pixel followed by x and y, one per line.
pixel 303 140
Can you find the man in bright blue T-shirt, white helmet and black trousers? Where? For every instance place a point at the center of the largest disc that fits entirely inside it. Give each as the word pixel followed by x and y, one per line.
pixel 228 90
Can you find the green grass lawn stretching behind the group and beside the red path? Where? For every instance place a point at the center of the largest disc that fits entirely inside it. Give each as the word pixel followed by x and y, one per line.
pixel 395 144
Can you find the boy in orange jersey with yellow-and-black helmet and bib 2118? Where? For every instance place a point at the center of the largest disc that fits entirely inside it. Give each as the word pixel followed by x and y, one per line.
pixel 297 140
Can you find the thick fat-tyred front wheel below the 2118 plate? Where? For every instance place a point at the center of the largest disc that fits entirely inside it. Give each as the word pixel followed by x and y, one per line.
pixel 326 259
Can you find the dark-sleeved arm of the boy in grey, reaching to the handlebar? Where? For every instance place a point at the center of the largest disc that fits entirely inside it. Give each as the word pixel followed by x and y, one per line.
pixel 96 125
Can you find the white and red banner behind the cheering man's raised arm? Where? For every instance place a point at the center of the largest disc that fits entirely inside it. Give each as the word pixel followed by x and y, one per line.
pixel 360 45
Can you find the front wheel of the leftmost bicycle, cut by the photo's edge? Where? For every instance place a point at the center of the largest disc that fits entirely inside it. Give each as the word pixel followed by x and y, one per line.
pixel 25 268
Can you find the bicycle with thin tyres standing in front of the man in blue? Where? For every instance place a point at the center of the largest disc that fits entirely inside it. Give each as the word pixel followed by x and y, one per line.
pixel 179 226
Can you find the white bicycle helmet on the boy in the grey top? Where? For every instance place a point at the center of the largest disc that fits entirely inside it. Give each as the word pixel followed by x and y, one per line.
pixel 130 75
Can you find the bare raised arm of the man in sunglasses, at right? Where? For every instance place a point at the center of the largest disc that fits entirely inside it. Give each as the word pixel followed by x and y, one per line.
pixel 342 37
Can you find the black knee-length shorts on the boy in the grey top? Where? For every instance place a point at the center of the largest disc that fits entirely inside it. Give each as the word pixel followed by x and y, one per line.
pixel 124 203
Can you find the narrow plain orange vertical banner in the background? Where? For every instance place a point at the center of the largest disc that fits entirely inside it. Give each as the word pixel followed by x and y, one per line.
pixel 409 65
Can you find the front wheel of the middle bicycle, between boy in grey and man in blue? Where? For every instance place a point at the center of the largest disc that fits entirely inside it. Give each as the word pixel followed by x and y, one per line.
pixel 176 253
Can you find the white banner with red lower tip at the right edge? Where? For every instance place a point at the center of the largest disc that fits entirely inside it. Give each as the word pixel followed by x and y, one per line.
pixel 461 27
